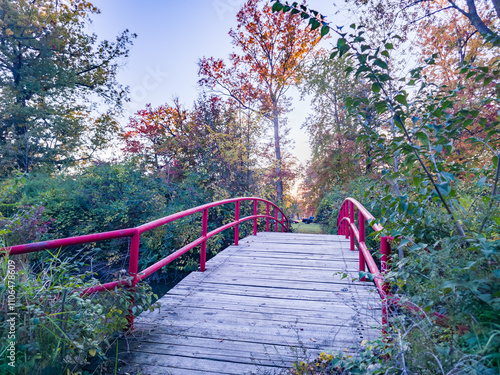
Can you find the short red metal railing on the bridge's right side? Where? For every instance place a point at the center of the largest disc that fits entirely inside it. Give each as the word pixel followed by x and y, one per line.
pixel 346 224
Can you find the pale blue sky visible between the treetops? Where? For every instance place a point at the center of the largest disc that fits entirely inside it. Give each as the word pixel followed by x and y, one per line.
pixel 172 35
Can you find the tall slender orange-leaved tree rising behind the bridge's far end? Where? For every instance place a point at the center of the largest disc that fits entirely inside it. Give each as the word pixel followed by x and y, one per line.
pixel 272 48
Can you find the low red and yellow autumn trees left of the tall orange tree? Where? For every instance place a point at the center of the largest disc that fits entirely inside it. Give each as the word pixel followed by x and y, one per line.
pixel 215 141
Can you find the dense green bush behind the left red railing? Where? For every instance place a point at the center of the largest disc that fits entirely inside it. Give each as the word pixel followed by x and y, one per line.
pixel 107 197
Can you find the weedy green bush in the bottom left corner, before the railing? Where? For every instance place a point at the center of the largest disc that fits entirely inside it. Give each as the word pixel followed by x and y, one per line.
pixel 55 329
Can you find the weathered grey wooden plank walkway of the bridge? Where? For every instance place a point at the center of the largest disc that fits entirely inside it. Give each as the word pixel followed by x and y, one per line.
pixel 258 307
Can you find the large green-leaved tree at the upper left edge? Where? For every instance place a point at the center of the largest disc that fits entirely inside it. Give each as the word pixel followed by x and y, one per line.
pixel 51 73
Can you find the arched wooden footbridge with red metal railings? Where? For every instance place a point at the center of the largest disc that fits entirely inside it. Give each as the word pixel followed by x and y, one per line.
pixel 269 300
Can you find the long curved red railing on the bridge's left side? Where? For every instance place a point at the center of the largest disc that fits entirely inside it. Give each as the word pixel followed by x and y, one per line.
pixel 135 234
